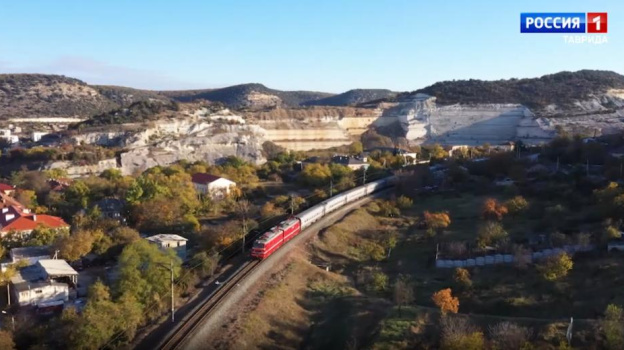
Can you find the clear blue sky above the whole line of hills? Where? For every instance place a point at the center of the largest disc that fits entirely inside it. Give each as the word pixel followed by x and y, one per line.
pixel 325 45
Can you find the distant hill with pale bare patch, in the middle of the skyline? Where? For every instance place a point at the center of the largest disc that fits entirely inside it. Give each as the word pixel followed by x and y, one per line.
pixel 248 96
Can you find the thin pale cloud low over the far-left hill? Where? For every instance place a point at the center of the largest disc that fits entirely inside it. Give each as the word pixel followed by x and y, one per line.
pixel 101 73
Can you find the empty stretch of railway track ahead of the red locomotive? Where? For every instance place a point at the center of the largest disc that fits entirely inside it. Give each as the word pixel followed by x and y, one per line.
pixel 189 325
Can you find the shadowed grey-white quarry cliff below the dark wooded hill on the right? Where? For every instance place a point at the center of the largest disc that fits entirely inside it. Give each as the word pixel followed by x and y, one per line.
pixel 423 120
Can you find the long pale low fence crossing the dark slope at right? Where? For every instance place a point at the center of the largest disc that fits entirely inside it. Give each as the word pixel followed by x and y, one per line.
pixel 508 258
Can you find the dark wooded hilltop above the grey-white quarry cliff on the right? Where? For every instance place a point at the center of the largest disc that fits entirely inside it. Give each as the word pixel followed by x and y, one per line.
pixel 562 89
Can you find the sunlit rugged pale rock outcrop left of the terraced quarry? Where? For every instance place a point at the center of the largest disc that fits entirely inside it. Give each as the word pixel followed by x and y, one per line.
pixel 196 138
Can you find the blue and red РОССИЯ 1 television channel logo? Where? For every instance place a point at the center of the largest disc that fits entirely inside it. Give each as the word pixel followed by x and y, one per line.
pixel 561 22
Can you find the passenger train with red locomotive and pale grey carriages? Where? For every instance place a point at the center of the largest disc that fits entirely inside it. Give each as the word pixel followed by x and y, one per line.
pixel 286 230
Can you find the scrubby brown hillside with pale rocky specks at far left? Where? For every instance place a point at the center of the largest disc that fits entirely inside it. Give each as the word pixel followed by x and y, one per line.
pixel 39 95
